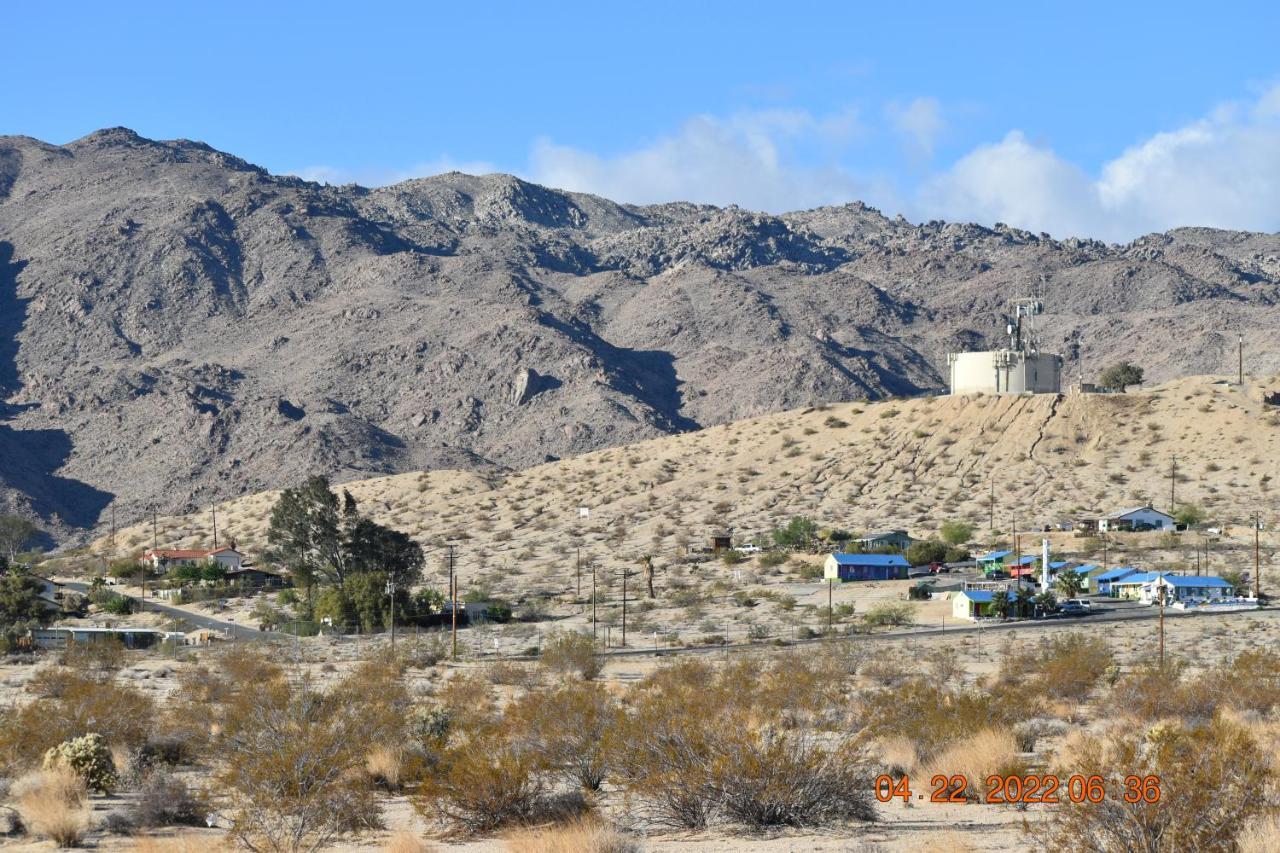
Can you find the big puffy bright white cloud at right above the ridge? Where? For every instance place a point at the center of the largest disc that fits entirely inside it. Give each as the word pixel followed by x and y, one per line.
pixel 1223 172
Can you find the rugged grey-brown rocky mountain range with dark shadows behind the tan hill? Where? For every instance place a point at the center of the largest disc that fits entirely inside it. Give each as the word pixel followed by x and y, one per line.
pixel 179 326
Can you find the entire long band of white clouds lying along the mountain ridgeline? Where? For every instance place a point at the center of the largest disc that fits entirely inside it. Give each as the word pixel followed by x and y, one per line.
pixel 1223 171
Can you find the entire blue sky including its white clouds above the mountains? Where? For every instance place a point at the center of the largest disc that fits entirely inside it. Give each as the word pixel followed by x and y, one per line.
pixel 1095 120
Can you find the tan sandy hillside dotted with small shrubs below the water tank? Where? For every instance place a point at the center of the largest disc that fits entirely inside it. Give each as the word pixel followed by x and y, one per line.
pixel 895 464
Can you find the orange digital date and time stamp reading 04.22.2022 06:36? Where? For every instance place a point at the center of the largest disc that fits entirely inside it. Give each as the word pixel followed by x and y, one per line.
pixel 1012 790
